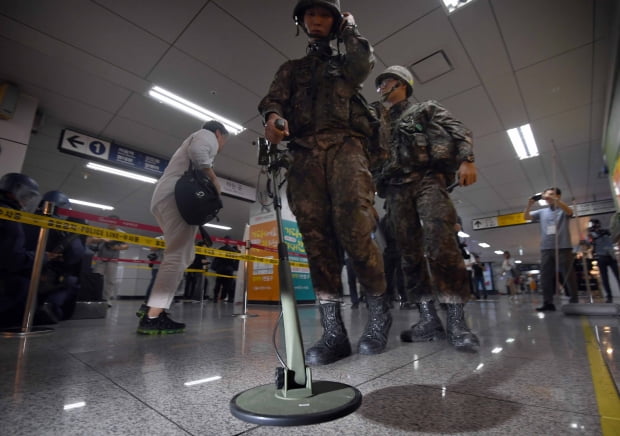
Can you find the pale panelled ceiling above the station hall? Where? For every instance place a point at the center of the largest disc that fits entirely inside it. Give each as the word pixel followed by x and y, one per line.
pixel 90 64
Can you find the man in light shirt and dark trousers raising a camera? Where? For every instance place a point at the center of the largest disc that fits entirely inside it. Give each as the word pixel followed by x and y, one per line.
pixel 555 235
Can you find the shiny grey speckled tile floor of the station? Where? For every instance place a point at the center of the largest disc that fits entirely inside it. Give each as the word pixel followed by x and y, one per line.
pixel 531 377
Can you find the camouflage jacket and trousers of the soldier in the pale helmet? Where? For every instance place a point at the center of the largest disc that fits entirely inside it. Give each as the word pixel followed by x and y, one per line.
pixel 426 146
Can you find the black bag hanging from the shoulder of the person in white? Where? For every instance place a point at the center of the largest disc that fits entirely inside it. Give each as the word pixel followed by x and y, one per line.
pixel 197 198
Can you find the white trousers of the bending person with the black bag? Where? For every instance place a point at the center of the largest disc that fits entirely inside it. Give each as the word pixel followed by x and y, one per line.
pixel 178 255
